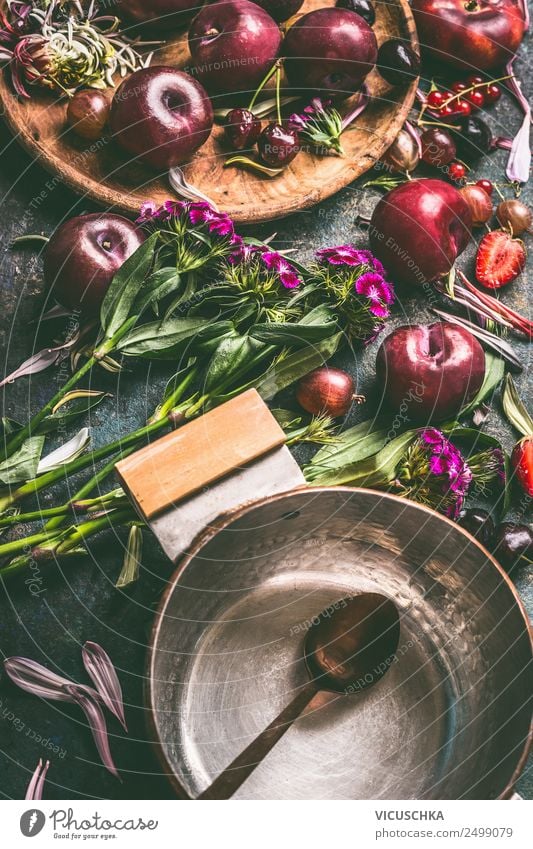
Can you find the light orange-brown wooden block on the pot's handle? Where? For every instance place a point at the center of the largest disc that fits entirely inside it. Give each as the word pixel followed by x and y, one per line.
pixel 199 453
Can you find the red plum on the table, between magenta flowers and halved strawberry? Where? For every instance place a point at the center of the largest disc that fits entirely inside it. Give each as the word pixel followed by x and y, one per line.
pixel 419 229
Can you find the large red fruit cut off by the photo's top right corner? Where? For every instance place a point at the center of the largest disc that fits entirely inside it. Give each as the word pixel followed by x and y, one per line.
pixel 481 38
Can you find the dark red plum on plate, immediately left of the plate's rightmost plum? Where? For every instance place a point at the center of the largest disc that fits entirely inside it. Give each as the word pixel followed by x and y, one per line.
pixel 233 44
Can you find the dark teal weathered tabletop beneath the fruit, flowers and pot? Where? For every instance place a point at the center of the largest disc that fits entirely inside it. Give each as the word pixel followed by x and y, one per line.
pixel 77 601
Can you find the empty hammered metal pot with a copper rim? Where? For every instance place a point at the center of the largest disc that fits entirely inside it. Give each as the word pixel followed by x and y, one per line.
pixel 451 719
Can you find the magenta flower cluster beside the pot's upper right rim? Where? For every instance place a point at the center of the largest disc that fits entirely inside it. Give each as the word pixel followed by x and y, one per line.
pixel 446 462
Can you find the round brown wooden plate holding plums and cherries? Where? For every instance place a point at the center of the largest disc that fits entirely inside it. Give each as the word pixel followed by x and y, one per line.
pixel 98 170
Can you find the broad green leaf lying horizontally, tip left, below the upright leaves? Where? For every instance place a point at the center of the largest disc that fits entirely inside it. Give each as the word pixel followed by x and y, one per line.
pixel 162 339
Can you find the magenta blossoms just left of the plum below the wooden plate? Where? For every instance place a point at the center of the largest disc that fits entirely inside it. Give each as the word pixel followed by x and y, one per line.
pixel 371 283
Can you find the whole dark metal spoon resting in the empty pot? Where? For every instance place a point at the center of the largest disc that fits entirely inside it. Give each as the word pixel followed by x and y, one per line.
pixel 348 648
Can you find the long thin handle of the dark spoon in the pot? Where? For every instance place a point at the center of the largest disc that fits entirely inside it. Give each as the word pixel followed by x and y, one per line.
pixel 229 781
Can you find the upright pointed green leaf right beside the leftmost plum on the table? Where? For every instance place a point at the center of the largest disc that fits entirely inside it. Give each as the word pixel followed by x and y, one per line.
pixel 126 285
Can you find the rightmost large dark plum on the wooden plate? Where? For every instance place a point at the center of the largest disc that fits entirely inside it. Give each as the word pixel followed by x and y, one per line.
pixel 329 51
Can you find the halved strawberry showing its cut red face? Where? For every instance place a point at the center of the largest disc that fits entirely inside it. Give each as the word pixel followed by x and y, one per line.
pixel 500 259
